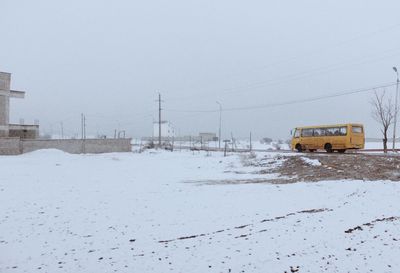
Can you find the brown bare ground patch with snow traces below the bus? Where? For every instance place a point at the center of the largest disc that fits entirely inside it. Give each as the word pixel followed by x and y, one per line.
pixel 297 168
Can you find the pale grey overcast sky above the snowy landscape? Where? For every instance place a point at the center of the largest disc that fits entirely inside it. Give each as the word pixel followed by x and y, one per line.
pixel 109 59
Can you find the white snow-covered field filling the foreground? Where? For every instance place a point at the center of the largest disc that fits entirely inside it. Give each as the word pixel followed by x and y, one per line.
pixel 150 212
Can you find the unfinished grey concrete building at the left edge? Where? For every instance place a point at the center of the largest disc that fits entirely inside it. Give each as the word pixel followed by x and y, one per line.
pixel 7 129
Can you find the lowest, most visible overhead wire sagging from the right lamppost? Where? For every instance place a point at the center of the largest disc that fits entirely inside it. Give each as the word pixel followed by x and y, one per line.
pixel 262 106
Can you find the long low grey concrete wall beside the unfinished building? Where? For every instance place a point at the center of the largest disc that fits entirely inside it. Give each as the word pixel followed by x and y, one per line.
pixel 78 146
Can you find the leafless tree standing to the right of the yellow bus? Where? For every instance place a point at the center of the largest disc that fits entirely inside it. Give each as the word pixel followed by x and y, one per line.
pixel 383 112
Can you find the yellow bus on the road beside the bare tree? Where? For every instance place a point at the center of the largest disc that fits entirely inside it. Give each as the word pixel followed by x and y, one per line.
pixel 339 137
